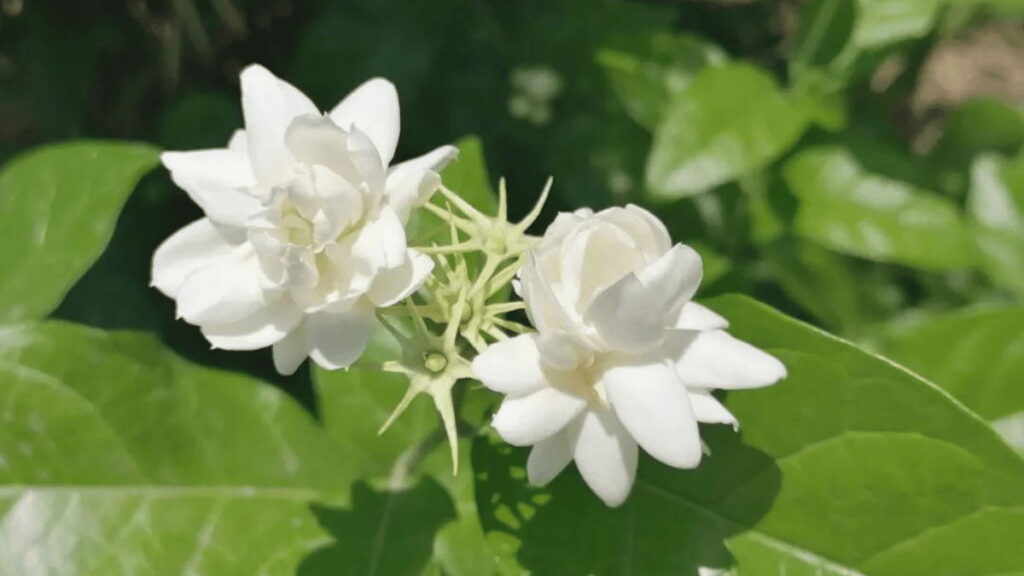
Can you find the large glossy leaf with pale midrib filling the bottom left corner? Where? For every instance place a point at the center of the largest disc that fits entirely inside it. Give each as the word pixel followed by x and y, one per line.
pixel 120 459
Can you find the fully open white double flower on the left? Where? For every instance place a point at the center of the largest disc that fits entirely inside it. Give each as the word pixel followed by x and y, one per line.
pixel 305 230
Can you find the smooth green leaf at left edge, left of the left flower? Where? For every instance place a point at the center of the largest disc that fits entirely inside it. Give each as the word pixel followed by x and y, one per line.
pixel 59 205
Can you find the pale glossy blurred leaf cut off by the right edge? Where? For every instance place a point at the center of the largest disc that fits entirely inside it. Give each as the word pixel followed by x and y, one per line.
pixel 996 208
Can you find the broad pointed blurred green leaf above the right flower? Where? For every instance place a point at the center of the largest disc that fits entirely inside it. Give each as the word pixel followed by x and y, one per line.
pixel 731 121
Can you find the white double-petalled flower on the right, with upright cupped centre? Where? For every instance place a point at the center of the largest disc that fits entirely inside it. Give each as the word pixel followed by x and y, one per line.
pixel 622 357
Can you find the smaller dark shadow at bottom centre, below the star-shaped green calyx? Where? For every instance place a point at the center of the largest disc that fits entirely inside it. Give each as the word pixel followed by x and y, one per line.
pixel 381 533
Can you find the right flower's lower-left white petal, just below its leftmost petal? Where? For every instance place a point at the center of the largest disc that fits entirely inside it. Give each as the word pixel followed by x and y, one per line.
pixel 528 420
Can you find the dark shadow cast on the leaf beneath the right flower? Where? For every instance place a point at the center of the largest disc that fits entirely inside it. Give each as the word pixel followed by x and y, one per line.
pixel 675 522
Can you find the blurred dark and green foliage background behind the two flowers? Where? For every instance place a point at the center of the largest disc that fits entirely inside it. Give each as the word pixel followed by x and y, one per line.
pixel 856 163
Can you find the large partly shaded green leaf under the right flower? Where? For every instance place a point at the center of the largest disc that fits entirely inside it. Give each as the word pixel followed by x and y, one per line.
pixel 852 466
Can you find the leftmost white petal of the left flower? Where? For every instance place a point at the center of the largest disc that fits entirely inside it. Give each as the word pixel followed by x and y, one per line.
pixel 196 245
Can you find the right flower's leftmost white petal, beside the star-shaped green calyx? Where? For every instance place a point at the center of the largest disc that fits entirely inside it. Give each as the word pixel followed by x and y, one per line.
pixel 511 366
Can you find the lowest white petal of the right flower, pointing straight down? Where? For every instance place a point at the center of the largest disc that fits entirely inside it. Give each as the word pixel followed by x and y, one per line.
pixel 607 457
